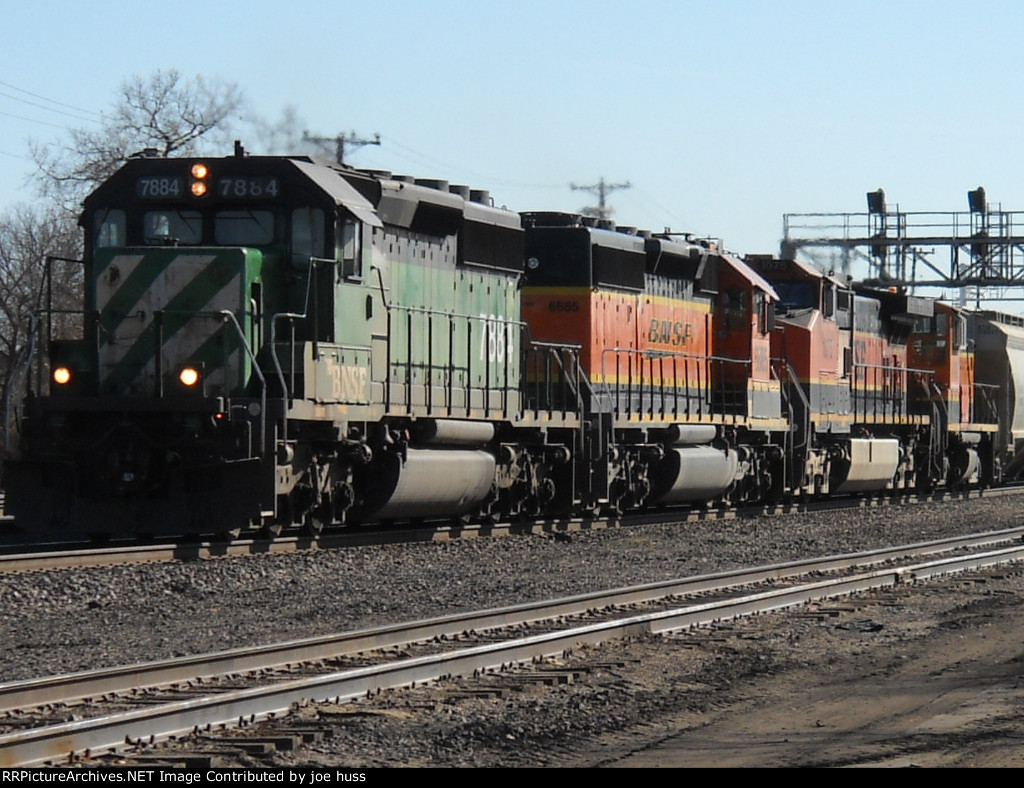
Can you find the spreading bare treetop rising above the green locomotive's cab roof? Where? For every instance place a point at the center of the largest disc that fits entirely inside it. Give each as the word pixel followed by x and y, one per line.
pixel 166 112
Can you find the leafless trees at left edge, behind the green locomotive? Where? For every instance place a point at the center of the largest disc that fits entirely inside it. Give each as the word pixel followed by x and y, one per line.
pixel 167 112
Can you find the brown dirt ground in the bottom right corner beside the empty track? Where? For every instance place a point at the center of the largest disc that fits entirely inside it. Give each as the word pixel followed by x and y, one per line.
pixel 928 678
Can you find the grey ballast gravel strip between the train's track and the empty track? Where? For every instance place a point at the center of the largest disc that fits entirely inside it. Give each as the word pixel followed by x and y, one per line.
pixel 77 620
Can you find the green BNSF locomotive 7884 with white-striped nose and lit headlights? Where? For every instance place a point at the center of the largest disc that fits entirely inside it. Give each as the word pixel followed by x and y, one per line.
pixel 276 342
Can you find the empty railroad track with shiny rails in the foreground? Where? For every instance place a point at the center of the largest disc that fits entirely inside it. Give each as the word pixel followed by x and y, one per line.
pixel 146 704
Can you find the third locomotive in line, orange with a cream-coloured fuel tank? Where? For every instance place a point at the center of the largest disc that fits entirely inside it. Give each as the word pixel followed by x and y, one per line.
pixel 845 390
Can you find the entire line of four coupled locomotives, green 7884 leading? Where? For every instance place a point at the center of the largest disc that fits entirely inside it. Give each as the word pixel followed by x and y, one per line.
pixel 282 344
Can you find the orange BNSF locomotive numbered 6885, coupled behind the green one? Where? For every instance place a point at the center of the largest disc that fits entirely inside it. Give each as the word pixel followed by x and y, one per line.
pixel 673 341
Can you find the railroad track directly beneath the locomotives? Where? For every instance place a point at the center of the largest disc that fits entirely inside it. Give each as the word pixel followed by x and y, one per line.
pixel 22 558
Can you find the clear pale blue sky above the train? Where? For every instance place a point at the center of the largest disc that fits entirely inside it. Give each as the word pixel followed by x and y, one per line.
pixel 722 115
